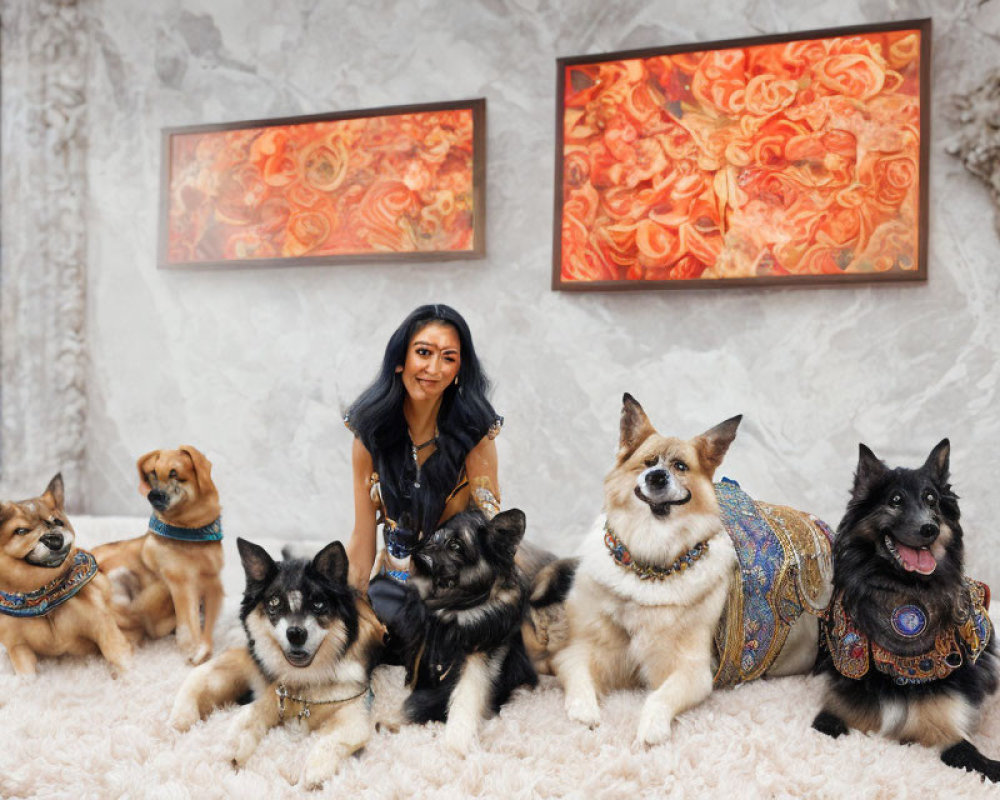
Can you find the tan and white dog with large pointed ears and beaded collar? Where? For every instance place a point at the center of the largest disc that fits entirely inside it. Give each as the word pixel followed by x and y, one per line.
pixel 651 583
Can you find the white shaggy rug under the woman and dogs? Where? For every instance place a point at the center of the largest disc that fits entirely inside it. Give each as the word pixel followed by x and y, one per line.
pixel 76 732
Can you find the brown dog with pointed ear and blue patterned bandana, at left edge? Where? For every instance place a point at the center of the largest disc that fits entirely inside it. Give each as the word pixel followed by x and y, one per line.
pixel 53 600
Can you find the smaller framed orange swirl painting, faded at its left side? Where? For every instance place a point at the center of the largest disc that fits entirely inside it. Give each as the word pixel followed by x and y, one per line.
pixel 399 183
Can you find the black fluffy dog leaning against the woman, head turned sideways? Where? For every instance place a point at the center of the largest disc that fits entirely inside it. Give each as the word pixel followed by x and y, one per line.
pixel 463 615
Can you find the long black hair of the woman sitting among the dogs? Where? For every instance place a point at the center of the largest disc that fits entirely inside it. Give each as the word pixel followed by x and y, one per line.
pixel 465 416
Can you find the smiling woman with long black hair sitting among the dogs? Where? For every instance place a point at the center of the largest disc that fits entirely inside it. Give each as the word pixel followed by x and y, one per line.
pixel 423 447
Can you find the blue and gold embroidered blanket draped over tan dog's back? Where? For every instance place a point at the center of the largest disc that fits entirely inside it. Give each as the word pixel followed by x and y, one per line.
pixel 785 567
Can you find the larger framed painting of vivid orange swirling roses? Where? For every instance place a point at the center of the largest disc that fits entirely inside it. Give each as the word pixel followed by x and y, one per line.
pixel 793 160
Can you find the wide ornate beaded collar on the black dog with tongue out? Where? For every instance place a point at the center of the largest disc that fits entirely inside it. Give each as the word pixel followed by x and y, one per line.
pixel 853 652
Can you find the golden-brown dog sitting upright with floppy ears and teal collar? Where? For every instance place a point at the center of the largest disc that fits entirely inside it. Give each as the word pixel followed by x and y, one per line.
pixel 170 578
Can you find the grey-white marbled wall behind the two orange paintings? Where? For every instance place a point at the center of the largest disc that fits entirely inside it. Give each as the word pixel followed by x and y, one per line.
pixel 255 366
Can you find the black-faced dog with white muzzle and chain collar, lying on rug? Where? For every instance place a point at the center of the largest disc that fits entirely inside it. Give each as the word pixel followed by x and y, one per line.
pixel 312 642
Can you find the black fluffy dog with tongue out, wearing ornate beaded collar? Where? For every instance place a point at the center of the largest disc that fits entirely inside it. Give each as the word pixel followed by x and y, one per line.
pixel 910 645
